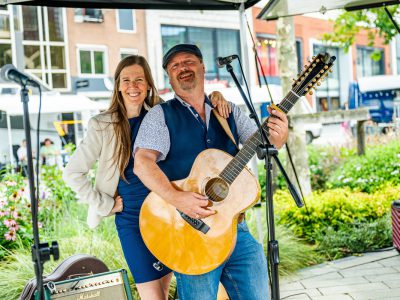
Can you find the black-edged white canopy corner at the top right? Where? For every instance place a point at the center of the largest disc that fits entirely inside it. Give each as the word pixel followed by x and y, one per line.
pixel 275 9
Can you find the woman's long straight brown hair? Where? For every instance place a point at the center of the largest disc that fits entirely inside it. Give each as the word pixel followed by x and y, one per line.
pixel 123 147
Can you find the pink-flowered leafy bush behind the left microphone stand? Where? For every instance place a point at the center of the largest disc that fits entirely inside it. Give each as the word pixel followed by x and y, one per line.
pixel 15 206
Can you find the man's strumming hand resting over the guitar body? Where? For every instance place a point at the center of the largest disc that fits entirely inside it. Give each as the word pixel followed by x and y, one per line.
pixel 192 204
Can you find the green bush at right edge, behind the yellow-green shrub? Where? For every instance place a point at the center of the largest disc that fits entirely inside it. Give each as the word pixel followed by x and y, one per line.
pixel 367 173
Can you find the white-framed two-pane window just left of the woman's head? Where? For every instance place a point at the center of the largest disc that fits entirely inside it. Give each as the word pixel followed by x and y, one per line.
pixel 92 61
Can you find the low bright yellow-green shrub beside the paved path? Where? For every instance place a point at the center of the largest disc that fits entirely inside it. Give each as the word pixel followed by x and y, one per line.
pixel 333 209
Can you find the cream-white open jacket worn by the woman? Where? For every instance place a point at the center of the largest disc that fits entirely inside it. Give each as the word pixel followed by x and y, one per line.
pixel 99 144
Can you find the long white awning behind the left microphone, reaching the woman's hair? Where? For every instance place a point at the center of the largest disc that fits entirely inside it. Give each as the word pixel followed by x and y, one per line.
pixel 51 103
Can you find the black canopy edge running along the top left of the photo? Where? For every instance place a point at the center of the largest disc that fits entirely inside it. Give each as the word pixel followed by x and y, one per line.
pixel 140 4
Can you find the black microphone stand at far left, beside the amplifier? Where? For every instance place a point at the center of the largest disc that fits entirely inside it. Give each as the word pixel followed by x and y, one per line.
pixel 41 252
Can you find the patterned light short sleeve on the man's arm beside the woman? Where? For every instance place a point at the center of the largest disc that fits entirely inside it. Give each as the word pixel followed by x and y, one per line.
pixel 153 133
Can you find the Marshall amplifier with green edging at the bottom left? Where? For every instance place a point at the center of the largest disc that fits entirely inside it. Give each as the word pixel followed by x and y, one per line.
pixel 103 286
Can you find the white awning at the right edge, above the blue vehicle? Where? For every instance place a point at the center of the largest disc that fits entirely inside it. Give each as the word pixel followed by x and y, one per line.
pixel 379 83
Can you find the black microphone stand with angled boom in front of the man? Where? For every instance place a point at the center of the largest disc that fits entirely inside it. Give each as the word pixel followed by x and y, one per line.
pixel 267 151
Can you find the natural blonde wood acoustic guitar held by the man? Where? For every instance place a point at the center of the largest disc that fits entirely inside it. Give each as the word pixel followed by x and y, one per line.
pixel 191 246
